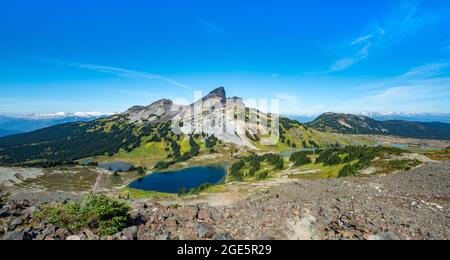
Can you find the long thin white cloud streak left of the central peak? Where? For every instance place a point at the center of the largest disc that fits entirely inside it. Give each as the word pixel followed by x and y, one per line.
pixel 119 72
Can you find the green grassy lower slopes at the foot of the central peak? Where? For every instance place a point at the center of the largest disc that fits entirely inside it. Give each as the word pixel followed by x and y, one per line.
pixel 148 154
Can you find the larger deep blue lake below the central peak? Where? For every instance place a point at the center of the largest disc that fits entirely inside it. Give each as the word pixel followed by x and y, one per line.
pixel 174 181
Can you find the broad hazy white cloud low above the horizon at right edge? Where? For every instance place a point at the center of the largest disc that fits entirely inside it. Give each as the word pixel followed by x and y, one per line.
pixel 423 88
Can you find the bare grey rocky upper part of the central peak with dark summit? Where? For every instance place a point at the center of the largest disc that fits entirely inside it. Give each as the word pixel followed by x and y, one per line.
pixel 207 115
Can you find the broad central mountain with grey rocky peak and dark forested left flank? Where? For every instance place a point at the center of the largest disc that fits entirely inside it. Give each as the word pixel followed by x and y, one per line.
pixel 173 131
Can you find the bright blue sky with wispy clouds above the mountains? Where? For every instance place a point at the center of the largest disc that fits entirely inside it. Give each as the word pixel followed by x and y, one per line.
pixel 315 56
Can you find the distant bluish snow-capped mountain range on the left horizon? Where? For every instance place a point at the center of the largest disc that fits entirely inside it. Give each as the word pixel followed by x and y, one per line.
pixel 32 122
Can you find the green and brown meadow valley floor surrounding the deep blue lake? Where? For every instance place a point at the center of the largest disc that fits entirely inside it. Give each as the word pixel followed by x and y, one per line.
pixel 66 182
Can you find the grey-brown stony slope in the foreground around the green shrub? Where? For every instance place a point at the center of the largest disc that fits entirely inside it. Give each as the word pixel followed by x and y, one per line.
pixel 408 205
